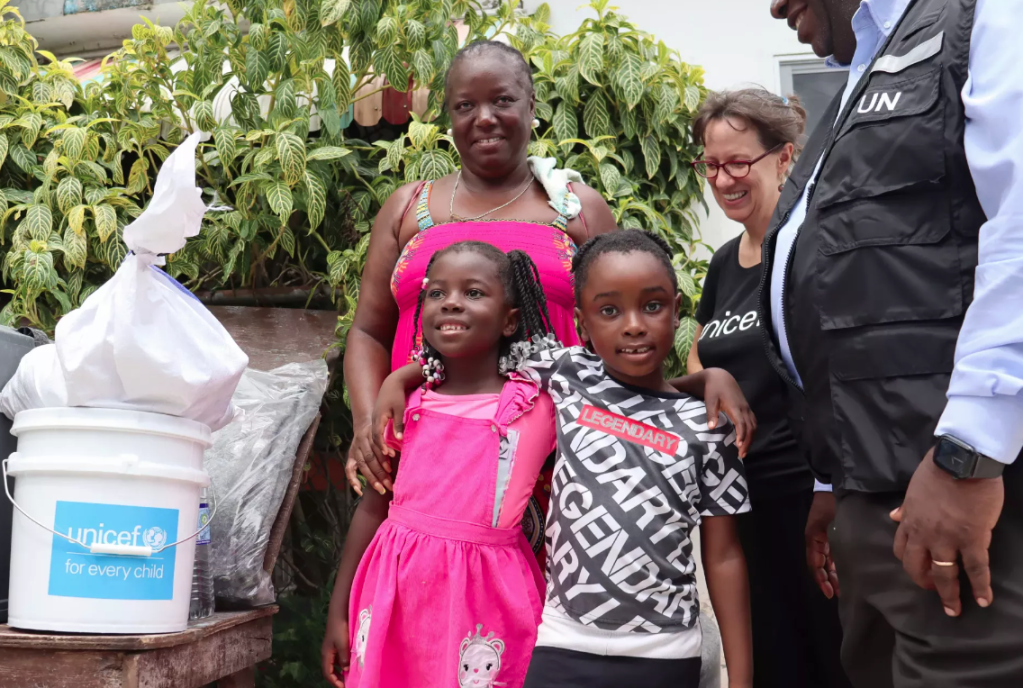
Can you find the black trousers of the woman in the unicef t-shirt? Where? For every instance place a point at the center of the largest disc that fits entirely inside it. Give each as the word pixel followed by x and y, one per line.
pixel 796 630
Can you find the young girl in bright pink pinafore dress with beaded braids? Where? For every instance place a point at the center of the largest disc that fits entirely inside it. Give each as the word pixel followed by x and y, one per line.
pixel 438 586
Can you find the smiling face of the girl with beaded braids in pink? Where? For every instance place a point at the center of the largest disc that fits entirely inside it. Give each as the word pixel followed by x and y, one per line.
pixel 466 311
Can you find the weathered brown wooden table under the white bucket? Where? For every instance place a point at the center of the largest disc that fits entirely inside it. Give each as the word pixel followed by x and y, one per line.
pixel 223 650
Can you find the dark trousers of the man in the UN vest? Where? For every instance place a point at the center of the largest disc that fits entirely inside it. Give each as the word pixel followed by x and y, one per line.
pixel 897 634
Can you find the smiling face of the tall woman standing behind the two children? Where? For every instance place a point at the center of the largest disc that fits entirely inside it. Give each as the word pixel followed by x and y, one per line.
pixel 492 108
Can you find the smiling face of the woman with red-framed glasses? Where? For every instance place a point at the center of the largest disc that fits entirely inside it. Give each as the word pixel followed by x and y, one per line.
pixel 755 196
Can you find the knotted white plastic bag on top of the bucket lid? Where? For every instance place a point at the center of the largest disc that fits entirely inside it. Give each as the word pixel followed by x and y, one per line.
pixel 143 342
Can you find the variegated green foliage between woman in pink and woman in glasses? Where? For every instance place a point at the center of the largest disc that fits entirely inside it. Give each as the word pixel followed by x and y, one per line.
pixel 618 107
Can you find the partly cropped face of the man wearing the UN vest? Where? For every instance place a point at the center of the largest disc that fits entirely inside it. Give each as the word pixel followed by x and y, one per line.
pixel 824 25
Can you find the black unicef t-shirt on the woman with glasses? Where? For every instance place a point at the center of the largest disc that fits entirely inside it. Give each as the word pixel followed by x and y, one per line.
pixel 733 340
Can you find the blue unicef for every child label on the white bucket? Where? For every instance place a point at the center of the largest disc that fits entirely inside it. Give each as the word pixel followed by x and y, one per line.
pixel 77 573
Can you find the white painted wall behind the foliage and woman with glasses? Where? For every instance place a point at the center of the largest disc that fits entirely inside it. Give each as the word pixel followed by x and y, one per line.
pixel 736 41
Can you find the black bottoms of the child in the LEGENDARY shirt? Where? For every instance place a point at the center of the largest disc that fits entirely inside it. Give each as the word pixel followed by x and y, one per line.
pixel 555 668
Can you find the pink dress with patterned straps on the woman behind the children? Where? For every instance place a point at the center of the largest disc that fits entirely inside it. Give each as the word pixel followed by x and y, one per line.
pixel 552 250
